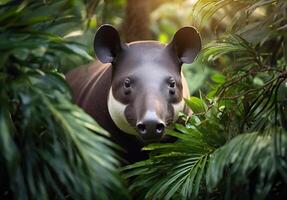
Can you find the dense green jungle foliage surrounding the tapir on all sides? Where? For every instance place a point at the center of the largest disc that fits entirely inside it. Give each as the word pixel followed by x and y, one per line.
pixel 234 146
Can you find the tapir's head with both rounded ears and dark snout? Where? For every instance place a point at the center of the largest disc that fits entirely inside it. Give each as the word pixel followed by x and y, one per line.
pixel 147 89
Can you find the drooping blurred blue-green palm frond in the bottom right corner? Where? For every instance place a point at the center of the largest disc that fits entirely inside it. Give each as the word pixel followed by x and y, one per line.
pixel 251 161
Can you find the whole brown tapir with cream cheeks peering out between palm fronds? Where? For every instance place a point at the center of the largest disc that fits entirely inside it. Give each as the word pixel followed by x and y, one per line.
pixel 137 89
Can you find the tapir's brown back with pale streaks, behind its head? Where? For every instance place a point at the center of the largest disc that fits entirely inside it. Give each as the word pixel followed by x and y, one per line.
pixel 90 86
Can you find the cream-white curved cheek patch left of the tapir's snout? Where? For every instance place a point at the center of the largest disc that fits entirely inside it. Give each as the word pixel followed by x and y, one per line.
pixel 116 111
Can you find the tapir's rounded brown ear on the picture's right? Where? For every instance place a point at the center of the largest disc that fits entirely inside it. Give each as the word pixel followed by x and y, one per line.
pixel 186 44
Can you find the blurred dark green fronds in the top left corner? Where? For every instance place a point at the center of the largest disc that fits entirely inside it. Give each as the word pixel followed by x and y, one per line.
pixel 28 35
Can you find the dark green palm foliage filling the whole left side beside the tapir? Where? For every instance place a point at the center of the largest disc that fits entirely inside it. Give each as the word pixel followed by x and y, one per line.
pixel 49 148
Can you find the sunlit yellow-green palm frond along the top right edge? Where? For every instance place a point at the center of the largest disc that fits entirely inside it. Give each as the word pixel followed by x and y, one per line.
pixel 235 11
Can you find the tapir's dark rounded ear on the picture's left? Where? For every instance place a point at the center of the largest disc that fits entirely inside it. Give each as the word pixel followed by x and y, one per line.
pixel 107 43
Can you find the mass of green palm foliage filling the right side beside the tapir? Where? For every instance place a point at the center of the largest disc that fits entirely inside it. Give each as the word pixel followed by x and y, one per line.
pixel 234 146
